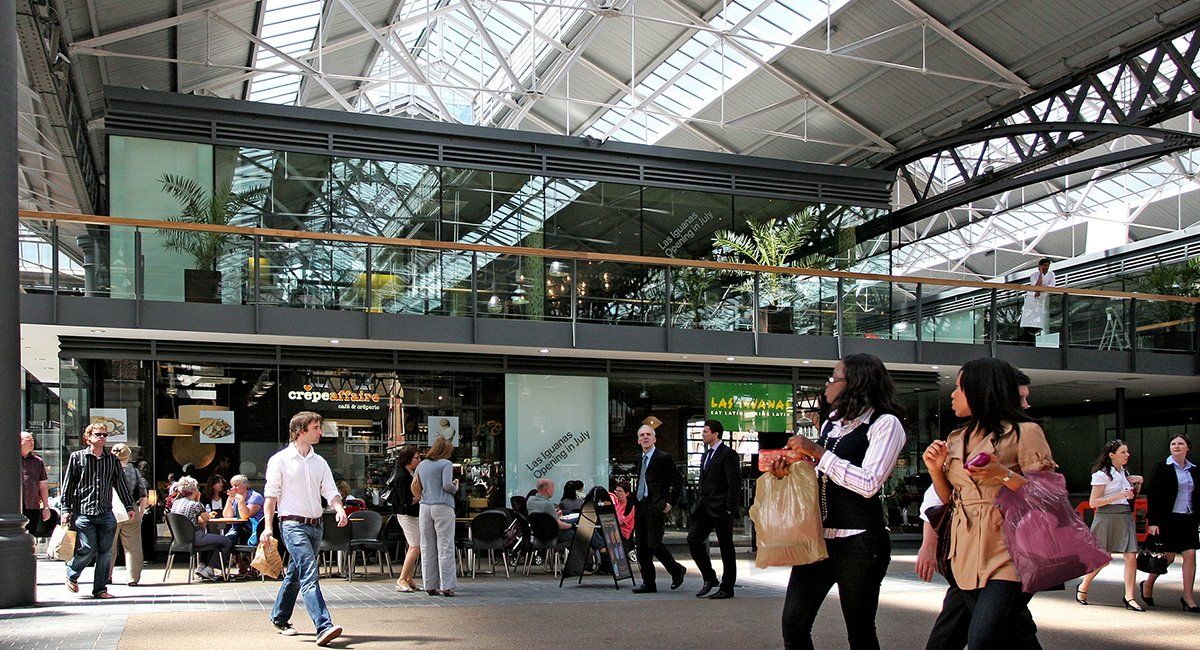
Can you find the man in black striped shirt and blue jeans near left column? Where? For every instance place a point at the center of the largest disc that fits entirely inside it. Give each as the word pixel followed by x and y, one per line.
pixel 88 483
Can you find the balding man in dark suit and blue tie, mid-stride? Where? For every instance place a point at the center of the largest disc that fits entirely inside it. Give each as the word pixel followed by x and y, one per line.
pixel 659 485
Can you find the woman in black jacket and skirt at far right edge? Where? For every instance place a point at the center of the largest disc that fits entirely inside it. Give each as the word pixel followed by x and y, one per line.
pixel 1174 504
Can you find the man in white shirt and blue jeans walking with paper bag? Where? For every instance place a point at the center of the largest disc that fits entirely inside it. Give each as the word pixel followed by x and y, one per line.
pixel 297 479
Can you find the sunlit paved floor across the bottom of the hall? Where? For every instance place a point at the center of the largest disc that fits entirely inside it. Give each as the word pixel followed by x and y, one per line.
pixel 535 612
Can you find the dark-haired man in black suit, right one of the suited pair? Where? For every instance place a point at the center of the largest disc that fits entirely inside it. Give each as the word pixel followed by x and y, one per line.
pixel 721 497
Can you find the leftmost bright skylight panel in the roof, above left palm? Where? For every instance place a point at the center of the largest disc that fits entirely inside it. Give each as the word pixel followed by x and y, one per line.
pixel 291 27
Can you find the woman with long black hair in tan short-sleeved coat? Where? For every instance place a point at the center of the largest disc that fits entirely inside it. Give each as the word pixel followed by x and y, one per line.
pixel 999 444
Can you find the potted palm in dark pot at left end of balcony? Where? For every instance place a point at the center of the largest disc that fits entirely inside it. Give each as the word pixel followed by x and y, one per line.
pixel 202 284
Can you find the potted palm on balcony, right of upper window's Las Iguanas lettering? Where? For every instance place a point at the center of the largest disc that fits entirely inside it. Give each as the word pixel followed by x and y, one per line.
pixel 775 243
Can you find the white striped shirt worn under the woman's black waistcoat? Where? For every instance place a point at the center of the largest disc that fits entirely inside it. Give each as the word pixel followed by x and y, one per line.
pixel 886 438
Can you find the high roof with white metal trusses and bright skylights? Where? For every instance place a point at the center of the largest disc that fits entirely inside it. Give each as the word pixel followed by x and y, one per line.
pixel 848 82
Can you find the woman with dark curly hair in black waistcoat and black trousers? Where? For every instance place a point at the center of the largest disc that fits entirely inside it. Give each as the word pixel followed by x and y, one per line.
pixel 855 455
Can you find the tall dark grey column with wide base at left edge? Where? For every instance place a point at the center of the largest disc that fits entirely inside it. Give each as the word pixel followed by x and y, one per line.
pixel 20 585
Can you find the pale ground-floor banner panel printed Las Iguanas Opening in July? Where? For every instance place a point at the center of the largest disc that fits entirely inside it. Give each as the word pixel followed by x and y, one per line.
pixel 557 429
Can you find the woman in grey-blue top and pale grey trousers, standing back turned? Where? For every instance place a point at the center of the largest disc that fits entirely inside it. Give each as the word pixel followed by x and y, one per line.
pixel 436 486
